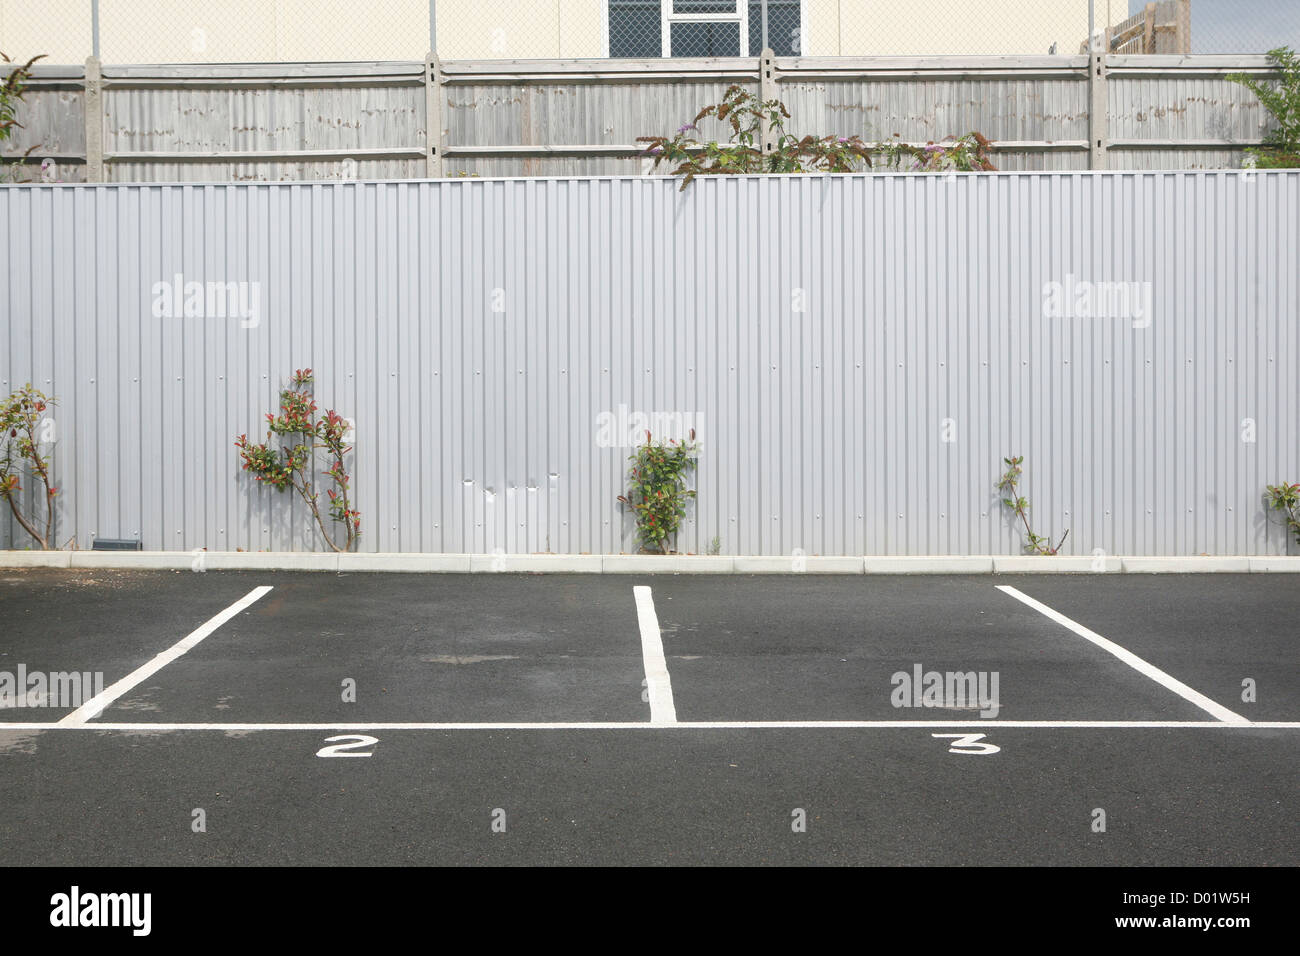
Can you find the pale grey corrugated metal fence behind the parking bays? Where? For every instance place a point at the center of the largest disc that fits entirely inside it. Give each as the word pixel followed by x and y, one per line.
pixel 857 353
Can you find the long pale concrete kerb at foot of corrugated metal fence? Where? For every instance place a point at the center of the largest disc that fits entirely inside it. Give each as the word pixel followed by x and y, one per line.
pixel 651 564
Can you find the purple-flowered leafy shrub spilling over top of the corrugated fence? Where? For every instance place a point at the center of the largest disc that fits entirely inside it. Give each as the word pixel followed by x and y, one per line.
pixel 747 118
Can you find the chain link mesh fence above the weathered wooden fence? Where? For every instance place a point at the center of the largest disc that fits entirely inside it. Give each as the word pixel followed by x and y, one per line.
pixel 149 32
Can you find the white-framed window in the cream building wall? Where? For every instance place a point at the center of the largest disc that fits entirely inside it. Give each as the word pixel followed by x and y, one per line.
pixel 703 28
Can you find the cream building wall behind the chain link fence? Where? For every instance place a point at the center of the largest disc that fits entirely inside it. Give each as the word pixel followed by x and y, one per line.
pixel 294 31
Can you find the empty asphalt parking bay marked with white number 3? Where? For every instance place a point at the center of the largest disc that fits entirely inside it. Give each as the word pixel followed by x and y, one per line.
pixel 827 648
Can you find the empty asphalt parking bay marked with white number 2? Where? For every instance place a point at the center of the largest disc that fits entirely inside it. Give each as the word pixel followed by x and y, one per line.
pixel 411 648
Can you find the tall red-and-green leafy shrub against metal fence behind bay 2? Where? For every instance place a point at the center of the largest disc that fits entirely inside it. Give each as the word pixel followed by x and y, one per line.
pixel 293 464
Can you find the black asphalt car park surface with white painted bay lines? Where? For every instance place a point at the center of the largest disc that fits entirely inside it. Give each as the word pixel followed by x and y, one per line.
pixel 561 648
